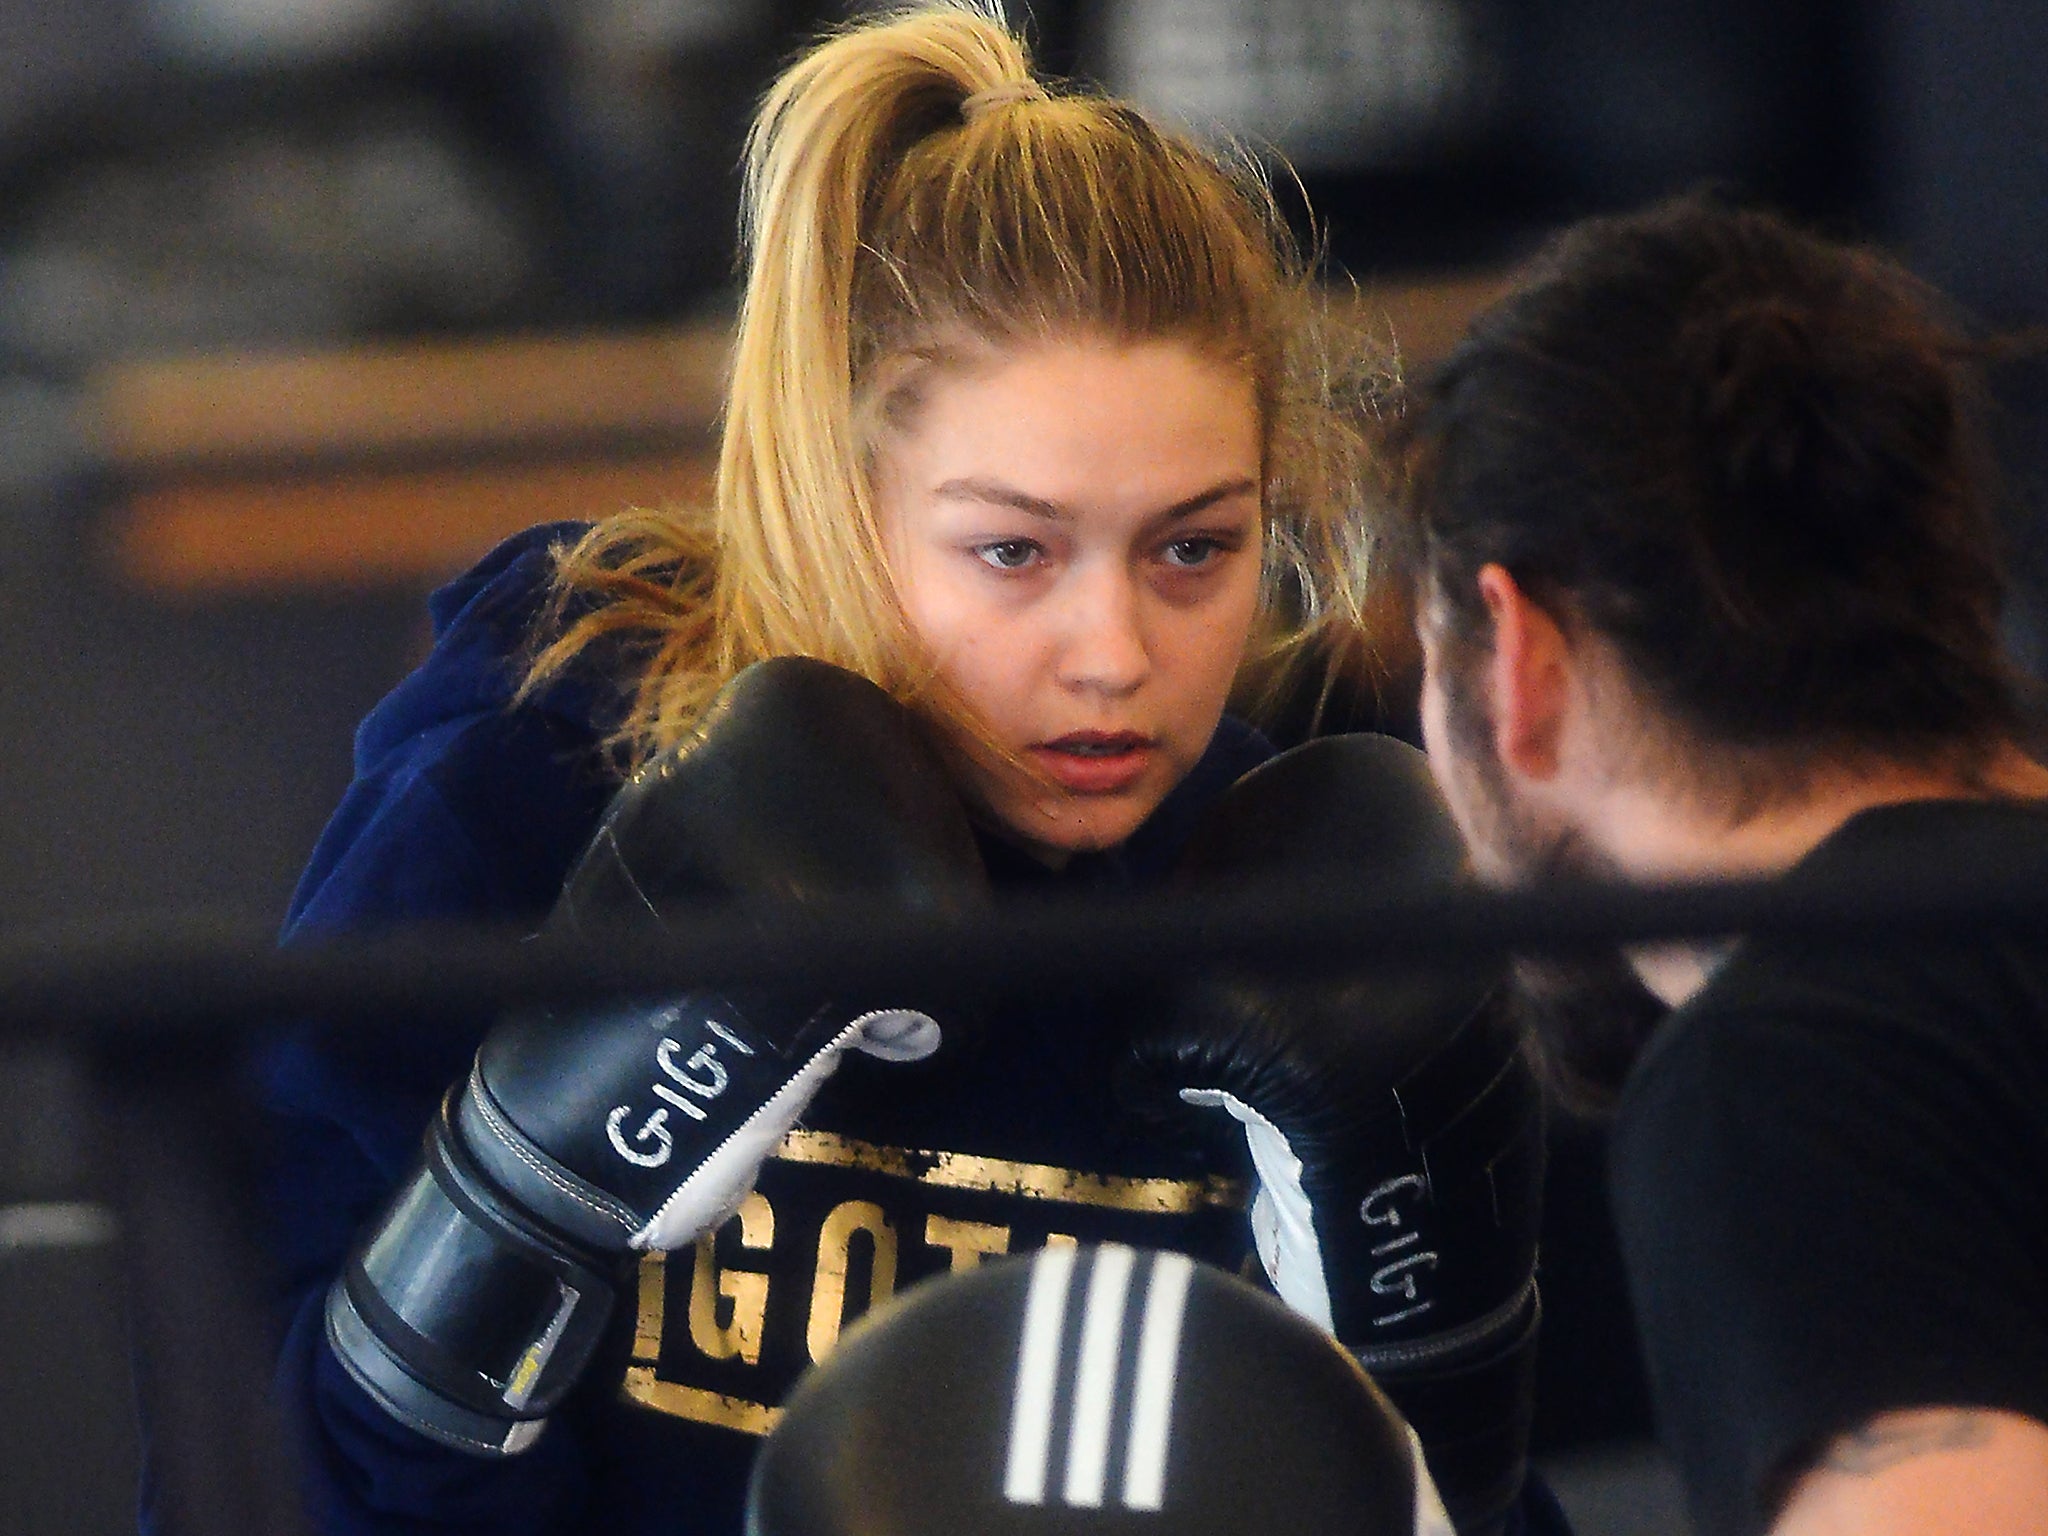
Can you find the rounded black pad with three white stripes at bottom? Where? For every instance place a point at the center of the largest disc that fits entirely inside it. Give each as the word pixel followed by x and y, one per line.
pixel 1091 1390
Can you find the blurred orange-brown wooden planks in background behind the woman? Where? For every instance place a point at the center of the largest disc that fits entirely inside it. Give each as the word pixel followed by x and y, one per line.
pixel 400 464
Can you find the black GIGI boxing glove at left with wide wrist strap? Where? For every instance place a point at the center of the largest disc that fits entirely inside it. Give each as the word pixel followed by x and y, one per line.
pixel 585 1136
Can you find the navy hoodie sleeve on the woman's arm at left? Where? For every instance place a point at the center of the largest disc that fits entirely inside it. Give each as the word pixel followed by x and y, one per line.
pixel 474 820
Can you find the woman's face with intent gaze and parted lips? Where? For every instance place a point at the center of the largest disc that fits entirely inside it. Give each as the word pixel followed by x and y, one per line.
pixel 1074 531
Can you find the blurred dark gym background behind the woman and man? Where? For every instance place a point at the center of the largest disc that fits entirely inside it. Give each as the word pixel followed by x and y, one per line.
pixel 308 302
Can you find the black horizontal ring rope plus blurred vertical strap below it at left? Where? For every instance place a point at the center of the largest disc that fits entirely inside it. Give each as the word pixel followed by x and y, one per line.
pixel 159 1007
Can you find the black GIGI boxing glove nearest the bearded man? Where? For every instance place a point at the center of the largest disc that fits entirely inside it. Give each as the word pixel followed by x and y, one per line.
pixel 1394 1121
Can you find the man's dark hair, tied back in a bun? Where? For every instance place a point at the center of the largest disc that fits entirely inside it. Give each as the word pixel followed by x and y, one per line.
pixel 1752 458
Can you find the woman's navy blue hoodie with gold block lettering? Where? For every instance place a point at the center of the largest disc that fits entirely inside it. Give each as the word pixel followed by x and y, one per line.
pixel 468 808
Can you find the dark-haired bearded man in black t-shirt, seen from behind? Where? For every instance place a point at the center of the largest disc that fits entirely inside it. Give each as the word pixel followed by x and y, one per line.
pixel 1703 540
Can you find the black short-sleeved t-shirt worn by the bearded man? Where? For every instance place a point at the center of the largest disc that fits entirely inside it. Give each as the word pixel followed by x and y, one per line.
pixel 1832 1179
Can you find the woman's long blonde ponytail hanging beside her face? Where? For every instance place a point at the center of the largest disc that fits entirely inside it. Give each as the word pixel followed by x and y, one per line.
pixel 794 480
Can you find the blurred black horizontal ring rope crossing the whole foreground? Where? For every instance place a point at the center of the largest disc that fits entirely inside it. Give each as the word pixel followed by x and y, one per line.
pixel 204 978
